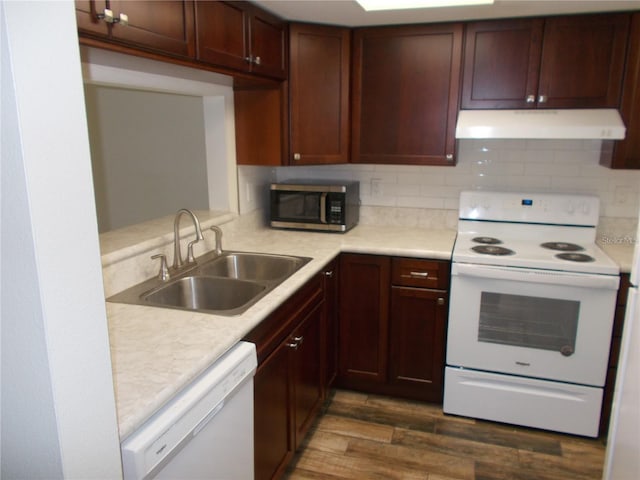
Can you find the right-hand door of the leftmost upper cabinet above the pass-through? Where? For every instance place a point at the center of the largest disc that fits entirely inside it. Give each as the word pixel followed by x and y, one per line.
pixel 166 26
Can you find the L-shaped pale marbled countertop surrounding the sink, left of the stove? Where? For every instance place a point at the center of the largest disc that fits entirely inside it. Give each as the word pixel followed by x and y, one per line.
pixel 156 352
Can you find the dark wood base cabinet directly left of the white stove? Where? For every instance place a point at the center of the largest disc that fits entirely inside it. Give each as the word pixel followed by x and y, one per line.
pixel 393 315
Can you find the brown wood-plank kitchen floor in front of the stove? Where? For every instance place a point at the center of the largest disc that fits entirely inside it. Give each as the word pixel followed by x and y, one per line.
pixel 372 437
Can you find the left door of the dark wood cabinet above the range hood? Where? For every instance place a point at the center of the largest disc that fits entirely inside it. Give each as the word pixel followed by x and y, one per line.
pixel 501 64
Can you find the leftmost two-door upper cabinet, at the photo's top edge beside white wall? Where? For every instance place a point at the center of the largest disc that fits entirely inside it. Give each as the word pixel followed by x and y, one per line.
pixel 165 27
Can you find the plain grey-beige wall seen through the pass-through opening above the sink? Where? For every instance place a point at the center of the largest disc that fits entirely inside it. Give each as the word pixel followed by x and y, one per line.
pixel 148 154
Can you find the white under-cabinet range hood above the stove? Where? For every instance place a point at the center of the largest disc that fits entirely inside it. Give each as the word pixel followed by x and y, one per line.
pixel 549 124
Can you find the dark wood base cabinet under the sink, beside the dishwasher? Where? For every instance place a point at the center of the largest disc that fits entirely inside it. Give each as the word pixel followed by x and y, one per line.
pixel 288 386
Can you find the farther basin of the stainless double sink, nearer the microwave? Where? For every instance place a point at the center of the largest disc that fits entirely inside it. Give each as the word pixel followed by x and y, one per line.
pixel 253 266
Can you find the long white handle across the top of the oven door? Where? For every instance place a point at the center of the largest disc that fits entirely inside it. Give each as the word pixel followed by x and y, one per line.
pixel 517 274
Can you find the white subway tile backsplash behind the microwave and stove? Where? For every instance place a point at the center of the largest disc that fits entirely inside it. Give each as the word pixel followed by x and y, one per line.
pixel 567 166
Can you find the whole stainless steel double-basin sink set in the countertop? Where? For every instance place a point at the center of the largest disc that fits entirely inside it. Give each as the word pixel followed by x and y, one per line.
pixel 226 284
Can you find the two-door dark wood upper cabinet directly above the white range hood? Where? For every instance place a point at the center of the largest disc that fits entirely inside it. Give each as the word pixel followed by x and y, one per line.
pixel 557 62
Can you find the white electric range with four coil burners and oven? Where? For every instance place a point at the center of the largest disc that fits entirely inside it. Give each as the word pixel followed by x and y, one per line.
pixel 530 312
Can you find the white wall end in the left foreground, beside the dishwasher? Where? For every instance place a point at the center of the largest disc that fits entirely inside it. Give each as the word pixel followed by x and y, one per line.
pixel 58 410
